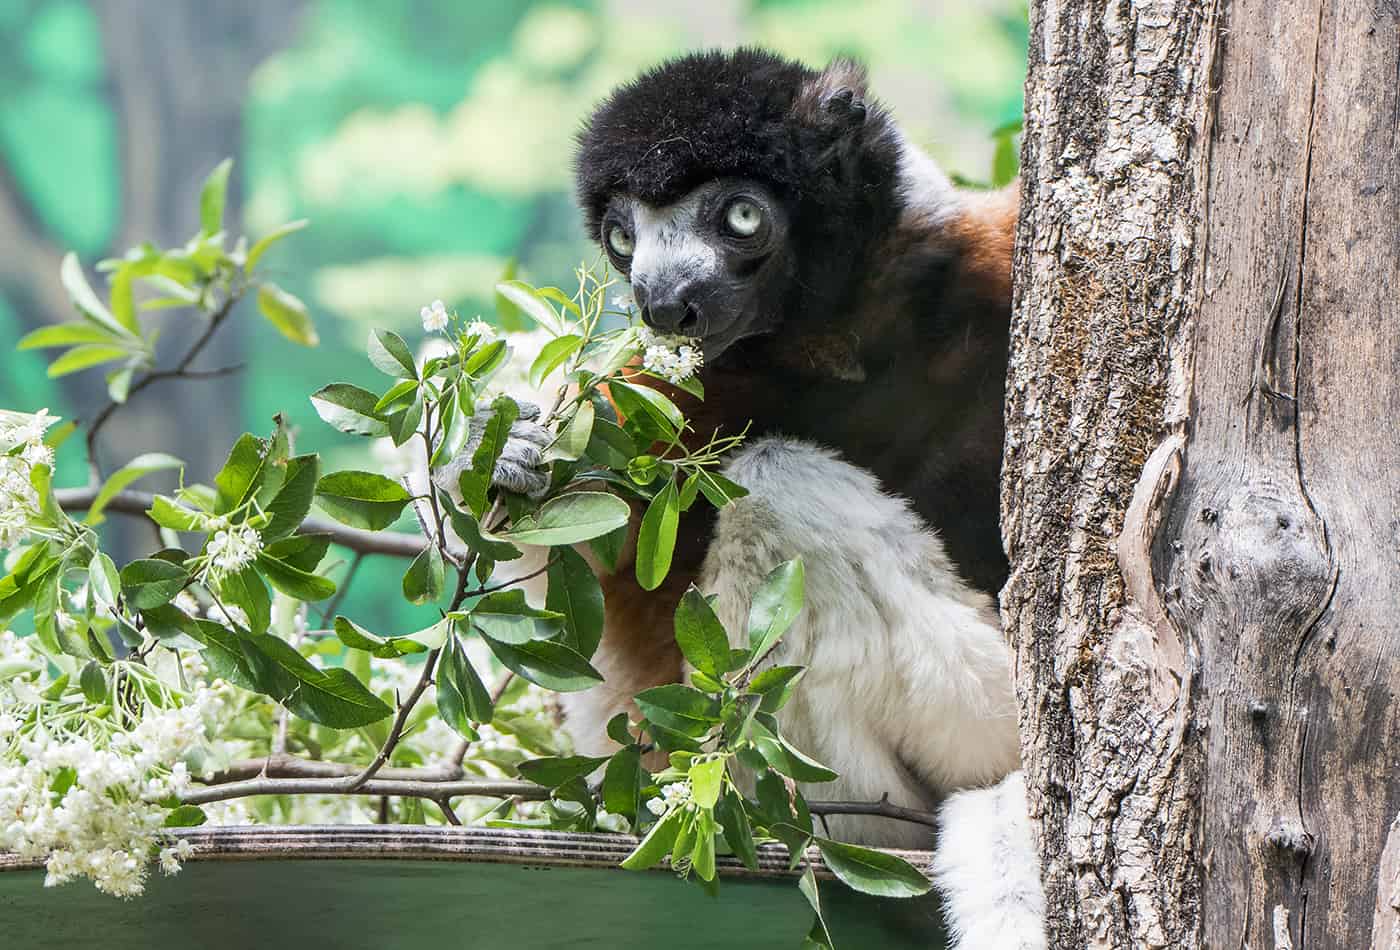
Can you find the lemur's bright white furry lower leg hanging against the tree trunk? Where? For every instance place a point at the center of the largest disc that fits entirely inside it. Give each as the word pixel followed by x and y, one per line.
pixel 988 870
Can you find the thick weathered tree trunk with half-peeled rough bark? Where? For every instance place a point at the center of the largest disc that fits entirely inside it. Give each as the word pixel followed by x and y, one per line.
pixel 1202 485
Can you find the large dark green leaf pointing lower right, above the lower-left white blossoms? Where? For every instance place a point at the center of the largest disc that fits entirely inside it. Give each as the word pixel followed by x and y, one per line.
pixel 330 697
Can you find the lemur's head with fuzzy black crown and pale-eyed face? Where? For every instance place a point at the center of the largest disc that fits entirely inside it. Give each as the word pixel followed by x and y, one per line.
pixel 740 191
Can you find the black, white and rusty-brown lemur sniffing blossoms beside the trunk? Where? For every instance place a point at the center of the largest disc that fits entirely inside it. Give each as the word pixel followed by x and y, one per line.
pixel 855 309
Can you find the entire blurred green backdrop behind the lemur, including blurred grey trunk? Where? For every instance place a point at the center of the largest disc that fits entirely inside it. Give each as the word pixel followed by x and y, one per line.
pixel 428 141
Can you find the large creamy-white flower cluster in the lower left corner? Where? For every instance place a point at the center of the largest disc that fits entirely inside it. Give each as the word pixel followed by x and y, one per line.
pixel 82 793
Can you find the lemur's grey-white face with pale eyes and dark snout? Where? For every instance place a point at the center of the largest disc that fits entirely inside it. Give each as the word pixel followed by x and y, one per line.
pixel 709 267
